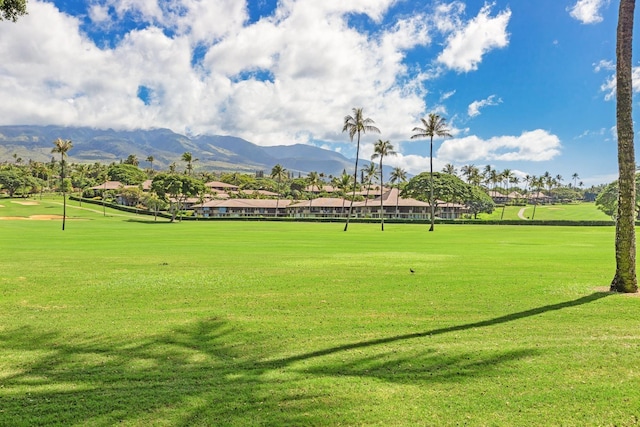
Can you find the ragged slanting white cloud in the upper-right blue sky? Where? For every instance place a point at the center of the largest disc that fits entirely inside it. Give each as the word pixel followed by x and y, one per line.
pixel 468 43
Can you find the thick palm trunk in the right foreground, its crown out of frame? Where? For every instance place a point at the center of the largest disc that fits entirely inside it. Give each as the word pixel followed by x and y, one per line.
pixel 625 279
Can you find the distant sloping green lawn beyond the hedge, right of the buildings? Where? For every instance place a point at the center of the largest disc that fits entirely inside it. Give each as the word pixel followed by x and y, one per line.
pixel 572 212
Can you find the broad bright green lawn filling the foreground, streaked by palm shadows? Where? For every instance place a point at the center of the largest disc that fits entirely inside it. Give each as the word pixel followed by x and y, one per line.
pixel 122 320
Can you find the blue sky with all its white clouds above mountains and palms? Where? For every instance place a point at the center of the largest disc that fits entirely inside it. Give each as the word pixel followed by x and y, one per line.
pixel 524 85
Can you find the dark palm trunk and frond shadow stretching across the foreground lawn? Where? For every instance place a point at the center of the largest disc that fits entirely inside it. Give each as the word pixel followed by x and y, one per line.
pixel 206 373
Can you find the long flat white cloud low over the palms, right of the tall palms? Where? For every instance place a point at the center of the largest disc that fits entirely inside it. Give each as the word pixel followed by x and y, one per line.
pixel 537 145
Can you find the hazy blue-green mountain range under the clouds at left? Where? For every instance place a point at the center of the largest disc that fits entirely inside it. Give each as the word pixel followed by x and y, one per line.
pixel 214 152
